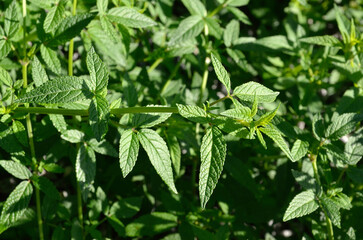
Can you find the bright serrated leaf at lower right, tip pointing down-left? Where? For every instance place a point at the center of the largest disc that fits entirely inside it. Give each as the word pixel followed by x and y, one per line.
pixel 303 204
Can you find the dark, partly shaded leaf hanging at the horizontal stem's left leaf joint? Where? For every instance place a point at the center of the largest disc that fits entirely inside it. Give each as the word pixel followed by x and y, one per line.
pixel 99 113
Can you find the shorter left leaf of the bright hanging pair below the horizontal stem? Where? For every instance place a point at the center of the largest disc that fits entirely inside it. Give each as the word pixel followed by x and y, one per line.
pixel 129 149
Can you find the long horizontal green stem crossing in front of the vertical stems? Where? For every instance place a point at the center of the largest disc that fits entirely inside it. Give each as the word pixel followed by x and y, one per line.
pixel 83 112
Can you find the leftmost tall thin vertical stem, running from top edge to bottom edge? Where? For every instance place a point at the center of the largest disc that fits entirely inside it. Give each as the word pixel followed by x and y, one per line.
pixel 24 68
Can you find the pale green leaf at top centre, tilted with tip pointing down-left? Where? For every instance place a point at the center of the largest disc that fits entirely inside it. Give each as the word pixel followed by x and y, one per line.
pixel 189 28
